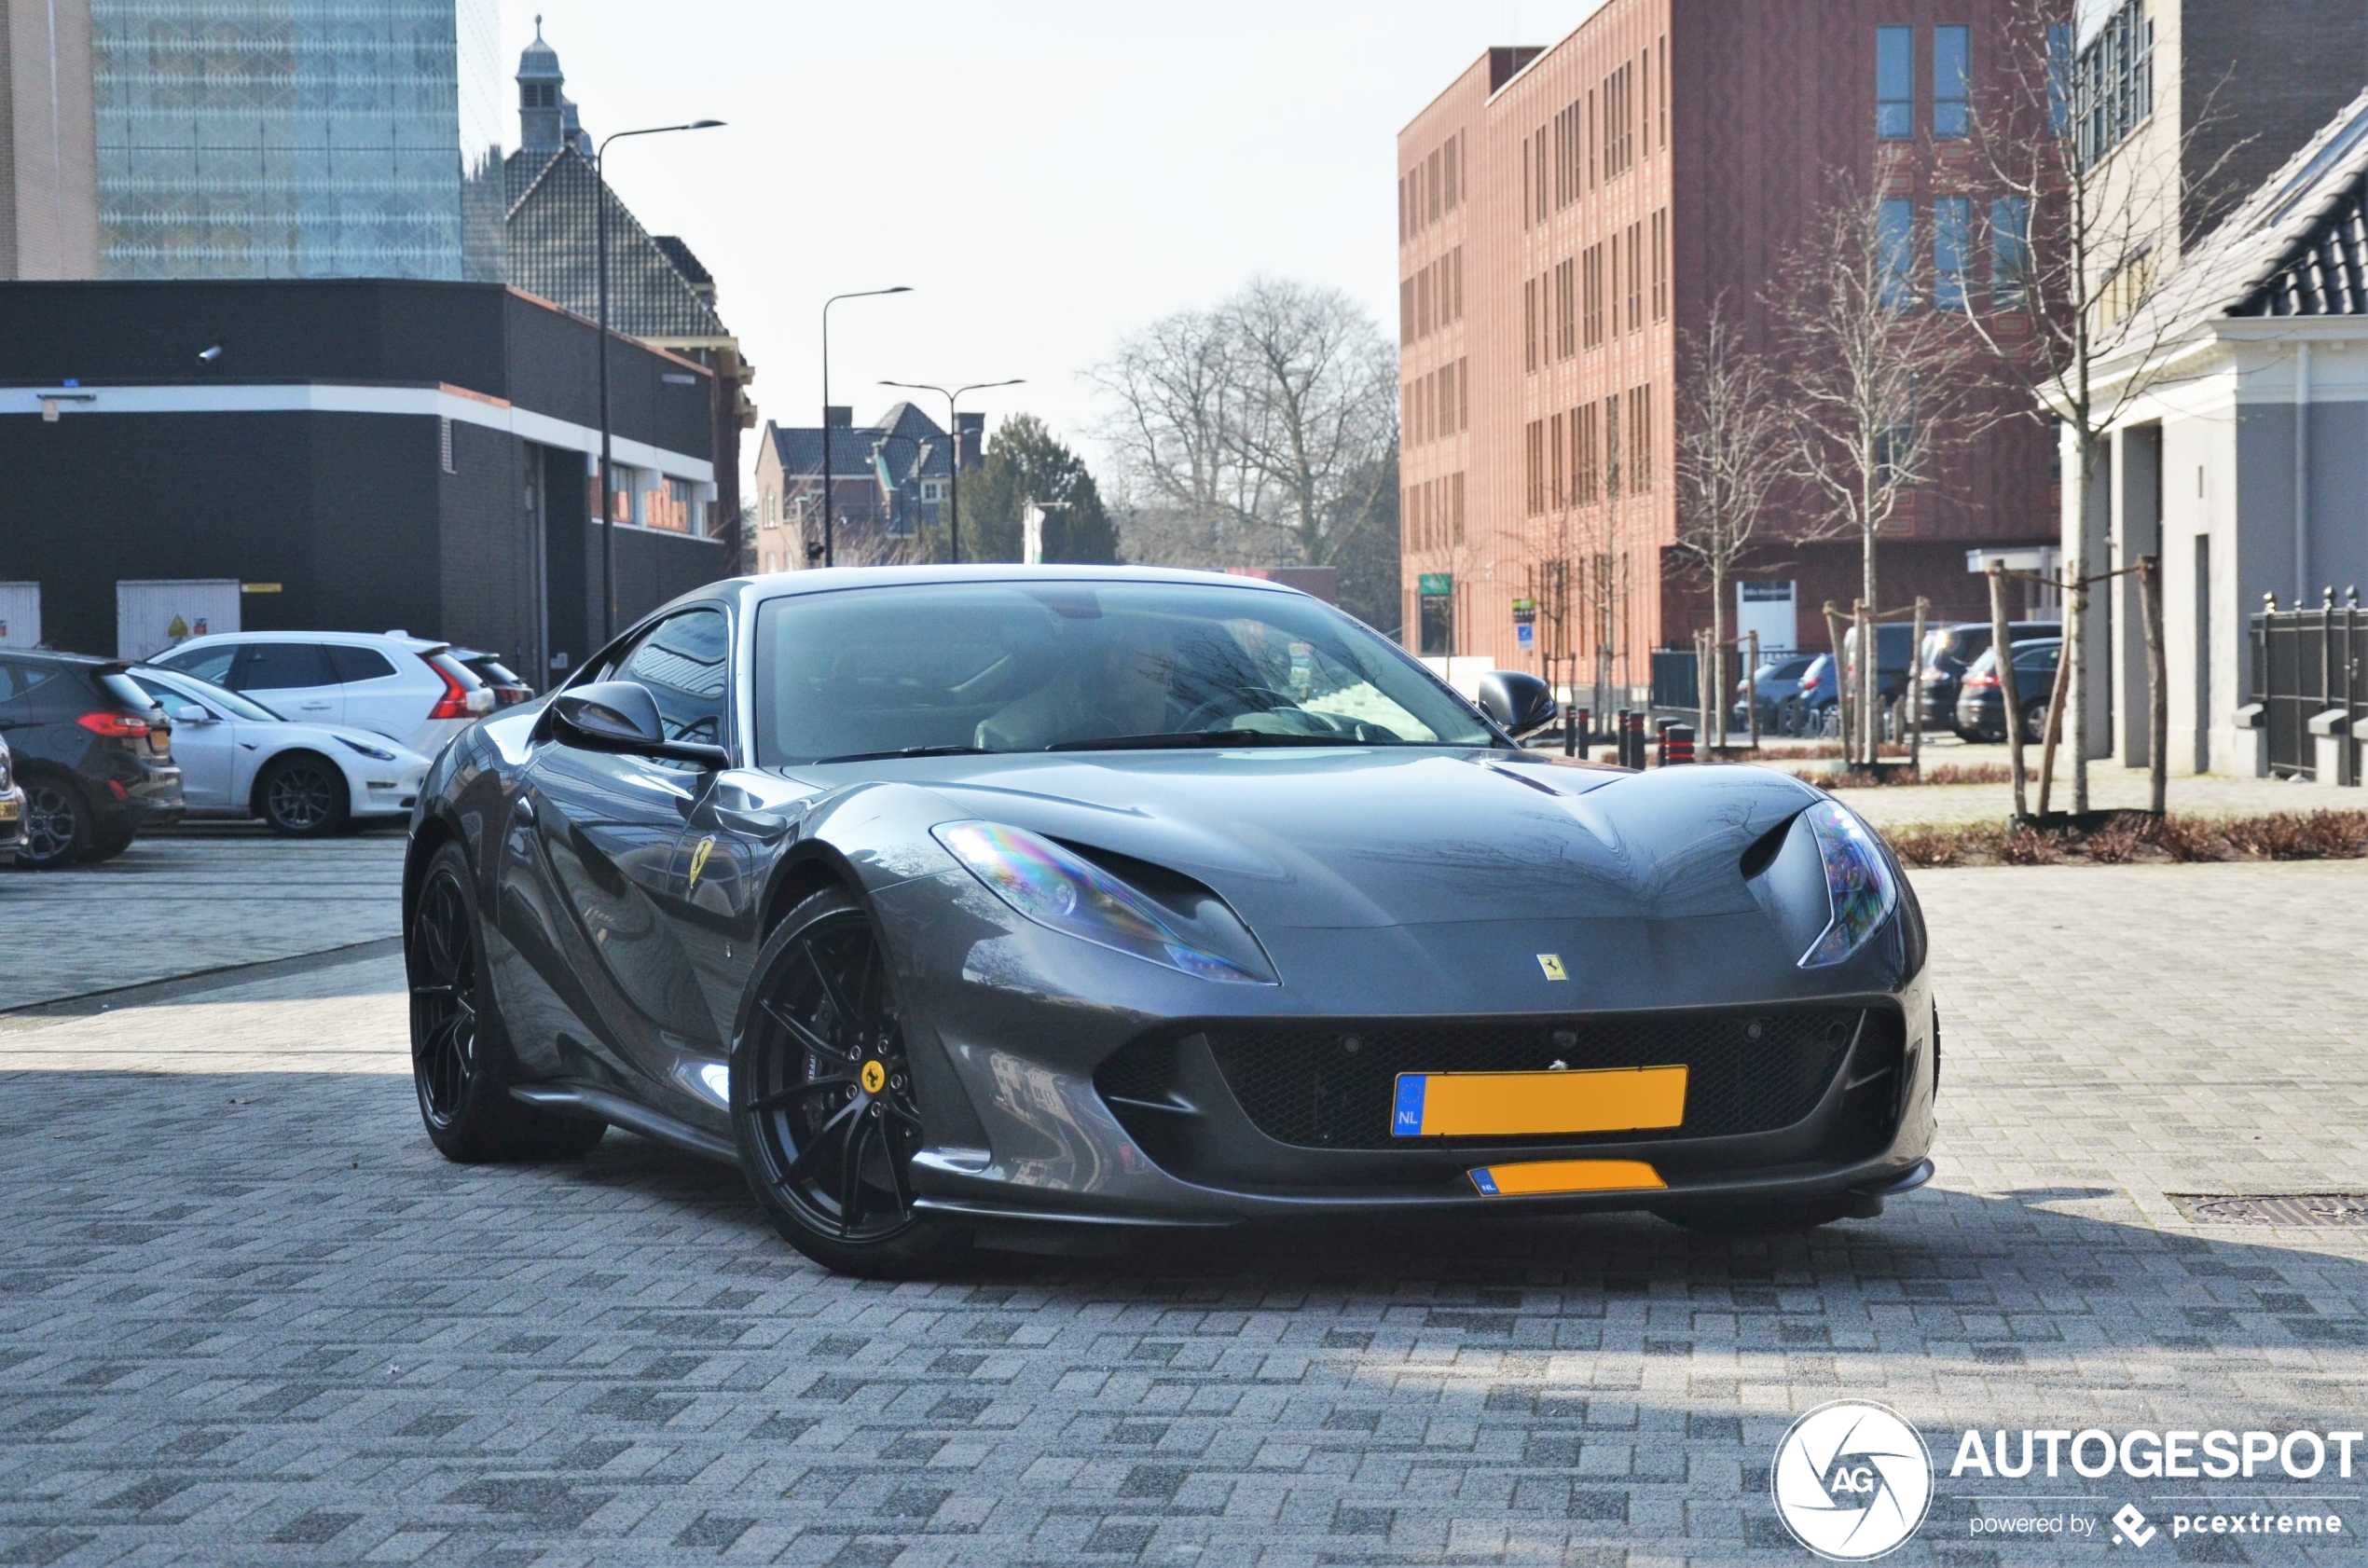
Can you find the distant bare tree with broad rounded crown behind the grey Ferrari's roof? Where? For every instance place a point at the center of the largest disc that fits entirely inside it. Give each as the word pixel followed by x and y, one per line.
pixel 1259 423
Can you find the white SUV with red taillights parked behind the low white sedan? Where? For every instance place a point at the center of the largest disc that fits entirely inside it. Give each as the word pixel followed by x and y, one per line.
pixel 404 688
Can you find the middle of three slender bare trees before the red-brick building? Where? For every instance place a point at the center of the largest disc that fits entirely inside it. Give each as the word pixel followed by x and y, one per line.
pixel 1879 380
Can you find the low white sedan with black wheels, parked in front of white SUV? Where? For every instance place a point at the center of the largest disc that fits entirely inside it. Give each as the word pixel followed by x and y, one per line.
pixel 238 759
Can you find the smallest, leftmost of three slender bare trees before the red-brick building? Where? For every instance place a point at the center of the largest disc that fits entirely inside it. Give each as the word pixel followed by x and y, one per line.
pixel 1732 454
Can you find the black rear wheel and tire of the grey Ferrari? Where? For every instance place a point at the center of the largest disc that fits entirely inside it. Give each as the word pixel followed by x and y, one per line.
pixel 461 1053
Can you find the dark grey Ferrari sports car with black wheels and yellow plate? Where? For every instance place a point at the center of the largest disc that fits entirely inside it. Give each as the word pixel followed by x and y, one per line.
pixel 1000 906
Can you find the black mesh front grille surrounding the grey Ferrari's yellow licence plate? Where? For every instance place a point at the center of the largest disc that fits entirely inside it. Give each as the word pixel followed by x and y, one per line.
pixel 1332 1086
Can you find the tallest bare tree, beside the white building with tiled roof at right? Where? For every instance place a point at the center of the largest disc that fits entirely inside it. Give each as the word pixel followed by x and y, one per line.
pixel 2078 245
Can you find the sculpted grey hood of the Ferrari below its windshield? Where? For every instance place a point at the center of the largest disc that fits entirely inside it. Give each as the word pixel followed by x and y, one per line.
pixel 1394 837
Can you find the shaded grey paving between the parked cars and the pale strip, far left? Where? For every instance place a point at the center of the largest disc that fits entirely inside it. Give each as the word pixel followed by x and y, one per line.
pixel 200 899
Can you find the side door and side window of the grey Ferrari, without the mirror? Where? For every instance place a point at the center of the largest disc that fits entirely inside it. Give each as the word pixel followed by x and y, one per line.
pixel 596 870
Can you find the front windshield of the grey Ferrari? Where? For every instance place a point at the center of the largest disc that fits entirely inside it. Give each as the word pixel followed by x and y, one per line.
pixel 1081 664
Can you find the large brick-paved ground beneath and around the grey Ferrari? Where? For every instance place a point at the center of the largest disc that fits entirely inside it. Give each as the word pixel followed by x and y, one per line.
pixel 250 1318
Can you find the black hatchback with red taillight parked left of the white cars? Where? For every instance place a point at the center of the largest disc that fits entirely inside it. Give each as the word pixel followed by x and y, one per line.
pixel 91 752
